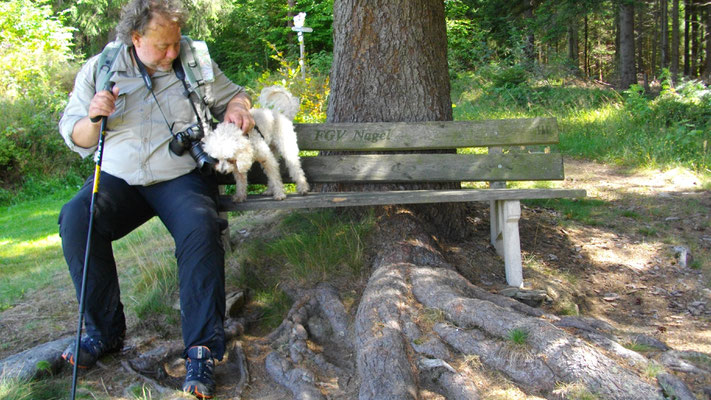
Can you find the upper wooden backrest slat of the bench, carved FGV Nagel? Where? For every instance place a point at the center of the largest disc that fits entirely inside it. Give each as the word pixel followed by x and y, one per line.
pixel 431 135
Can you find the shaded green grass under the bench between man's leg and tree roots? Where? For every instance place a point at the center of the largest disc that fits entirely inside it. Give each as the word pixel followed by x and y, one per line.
pixel 308 248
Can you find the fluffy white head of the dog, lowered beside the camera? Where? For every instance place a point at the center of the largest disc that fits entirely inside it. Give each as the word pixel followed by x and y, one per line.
pixel 230 147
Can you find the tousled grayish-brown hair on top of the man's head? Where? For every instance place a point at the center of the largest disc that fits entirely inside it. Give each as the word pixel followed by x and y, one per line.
pixel 137 14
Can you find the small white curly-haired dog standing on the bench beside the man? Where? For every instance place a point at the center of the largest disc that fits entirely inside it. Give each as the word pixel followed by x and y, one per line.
pixel 274 133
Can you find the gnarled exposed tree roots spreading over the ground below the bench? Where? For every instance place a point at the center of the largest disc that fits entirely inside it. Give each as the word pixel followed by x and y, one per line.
pixel 418 318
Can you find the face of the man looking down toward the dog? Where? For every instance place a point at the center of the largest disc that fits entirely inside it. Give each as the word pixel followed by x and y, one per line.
pixel 159 46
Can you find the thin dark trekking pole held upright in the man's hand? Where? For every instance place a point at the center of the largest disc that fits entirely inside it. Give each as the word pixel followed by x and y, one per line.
pixel 95 191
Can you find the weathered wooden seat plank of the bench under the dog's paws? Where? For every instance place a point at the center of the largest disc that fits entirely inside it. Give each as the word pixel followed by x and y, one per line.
pixel 350 199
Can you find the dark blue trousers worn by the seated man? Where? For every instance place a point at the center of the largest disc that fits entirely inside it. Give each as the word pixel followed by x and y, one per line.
pixel 186 206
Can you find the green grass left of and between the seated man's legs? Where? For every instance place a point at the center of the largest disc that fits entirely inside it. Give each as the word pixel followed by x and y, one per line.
pixel 31 258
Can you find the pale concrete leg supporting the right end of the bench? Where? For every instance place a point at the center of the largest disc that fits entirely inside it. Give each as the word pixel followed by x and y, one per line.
pixel 504 217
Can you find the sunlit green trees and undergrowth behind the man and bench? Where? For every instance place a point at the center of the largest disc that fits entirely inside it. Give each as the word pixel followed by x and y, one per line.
pixel 625 78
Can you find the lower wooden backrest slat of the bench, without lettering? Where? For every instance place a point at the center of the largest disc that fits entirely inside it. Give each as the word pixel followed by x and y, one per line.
pixel 423 168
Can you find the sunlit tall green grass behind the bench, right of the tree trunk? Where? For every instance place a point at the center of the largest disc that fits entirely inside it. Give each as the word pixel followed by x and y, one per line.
pixel 601 124
